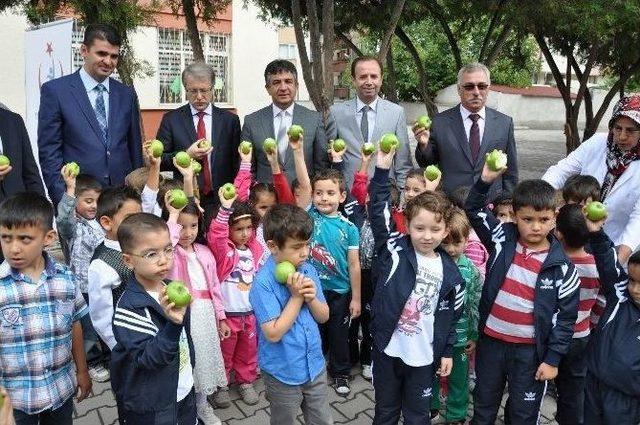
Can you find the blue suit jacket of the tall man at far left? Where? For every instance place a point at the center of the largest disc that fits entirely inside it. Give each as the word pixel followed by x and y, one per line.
pixel 68 131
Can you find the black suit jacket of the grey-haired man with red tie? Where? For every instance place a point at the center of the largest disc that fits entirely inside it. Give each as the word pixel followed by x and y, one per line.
pixel 177 133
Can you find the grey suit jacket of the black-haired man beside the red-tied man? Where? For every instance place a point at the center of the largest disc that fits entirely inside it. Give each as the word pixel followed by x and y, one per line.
pixel 259 126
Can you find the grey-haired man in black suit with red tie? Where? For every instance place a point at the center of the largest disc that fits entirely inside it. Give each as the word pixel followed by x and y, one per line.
pixel 182 128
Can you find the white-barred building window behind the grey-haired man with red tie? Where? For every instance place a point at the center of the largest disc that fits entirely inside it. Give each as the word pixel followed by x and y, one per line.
pixel 175 53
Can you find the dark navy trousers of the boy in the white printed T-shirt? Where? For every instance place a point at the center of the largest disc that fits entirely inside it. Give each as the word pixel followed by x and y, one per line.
pixel 401 388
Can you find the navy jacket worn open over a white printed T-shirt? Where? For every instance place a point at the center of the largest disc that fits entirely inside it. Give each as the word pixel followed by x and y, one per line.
pixel 395 276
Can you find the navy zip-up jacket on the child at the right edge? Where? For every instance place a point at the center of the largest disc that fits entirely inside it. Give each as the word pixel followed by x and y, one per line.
pixel 613 354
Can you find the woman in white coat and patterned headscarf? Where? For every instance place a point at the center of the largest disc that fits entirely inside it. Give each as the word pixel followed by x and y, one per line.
pixel 614 159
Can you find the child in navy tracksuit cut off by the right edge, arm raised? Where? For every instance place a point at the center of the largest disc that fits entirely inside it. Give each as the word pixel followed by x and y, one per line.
pixel 613 353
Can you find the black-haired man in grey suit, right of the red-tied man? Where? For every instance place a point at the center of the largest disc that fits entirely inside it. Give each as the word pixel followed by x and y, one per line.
pixel 281 82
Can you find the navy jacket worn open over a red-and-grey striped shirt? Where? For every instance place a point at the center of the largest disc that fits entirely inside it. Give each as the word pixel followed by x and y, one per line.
pixel 557 292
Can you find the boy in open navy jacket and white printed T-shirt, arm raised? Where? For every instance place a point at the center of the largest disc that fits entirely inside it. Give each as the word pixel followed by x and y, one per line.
pixel 418 299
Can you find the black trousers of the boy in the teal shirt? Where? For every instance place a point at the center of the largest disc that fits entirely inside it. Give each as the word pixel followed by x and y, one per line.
pixel 335 333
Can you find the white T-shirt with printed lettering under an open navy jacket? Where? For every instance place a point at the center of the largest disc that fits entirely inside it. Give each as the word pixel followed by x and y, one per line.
pixel 412 341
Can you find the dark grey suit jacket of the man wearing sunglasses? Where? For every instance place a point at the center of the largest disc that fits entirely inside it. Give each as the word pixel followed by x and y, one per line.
pixel 449 148
